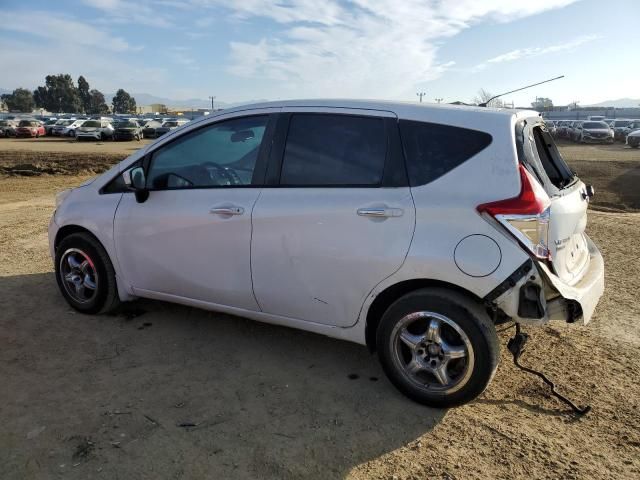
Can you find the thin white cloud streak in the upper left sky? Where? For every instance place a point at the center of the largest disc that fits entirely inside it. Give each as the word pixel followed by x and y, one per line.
pixel 62 29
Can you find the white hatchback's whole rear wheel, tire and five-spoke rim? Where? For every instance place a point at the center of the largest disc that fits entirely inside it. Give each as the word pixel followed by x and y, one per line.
pixel 438 347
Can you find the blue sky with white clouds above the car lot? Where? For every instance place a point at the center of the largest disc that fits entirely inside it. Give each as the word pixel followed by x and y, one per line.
pixel 255 49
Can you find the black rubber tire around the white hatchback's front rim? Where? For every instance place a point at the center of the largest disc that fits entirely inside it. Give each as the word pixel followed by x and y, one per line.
pixel 105 298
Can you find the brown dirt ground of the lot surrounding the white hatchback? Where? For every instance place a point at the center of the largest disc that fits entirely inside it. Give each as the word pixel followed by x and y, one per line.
pixel 164 391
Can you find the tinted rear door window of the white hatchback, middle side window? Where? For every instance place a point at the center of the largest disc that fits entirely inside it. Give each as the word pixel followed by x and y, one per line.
pixel 334 150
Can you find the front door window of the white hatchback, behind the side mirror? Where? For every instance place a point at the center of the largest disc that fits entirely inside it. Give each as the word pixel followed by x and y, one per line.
pixel 223 154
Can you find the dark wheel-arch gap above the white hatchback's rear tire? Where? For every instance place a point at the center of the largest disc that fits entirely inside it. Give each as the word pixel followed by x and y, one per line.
pixel 385 298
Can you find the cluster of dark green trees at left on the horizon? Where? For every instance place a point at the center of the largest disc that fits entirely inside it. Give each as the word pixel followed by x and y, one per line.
pixel 60 94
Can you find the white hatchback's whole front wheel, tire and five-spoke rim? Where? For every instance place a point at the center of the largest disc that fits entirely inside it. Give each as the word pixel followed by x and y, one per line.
pixel 85 274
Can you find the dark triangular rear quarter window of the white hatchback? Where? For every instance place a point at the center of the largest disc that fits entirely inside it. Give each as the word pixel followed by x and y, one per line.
pixel 433 149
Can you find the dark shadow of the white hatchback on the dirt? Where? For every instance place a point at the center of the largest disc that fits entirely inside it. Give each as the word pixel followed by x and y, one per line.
pixel 161 390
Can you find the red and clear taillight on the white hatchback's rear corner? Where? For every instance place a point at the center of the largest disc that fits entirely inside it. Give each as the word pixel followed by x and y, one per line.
pixel 526 216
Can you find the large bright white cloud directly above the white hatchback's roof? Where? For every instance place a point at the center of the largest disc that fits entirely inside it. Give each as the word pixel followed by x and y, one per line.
pixel 368 48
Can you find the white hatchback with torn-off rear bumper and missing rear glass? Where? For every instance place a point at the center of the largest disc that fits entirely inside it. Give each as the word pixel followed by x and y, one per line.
pixel 412 229
